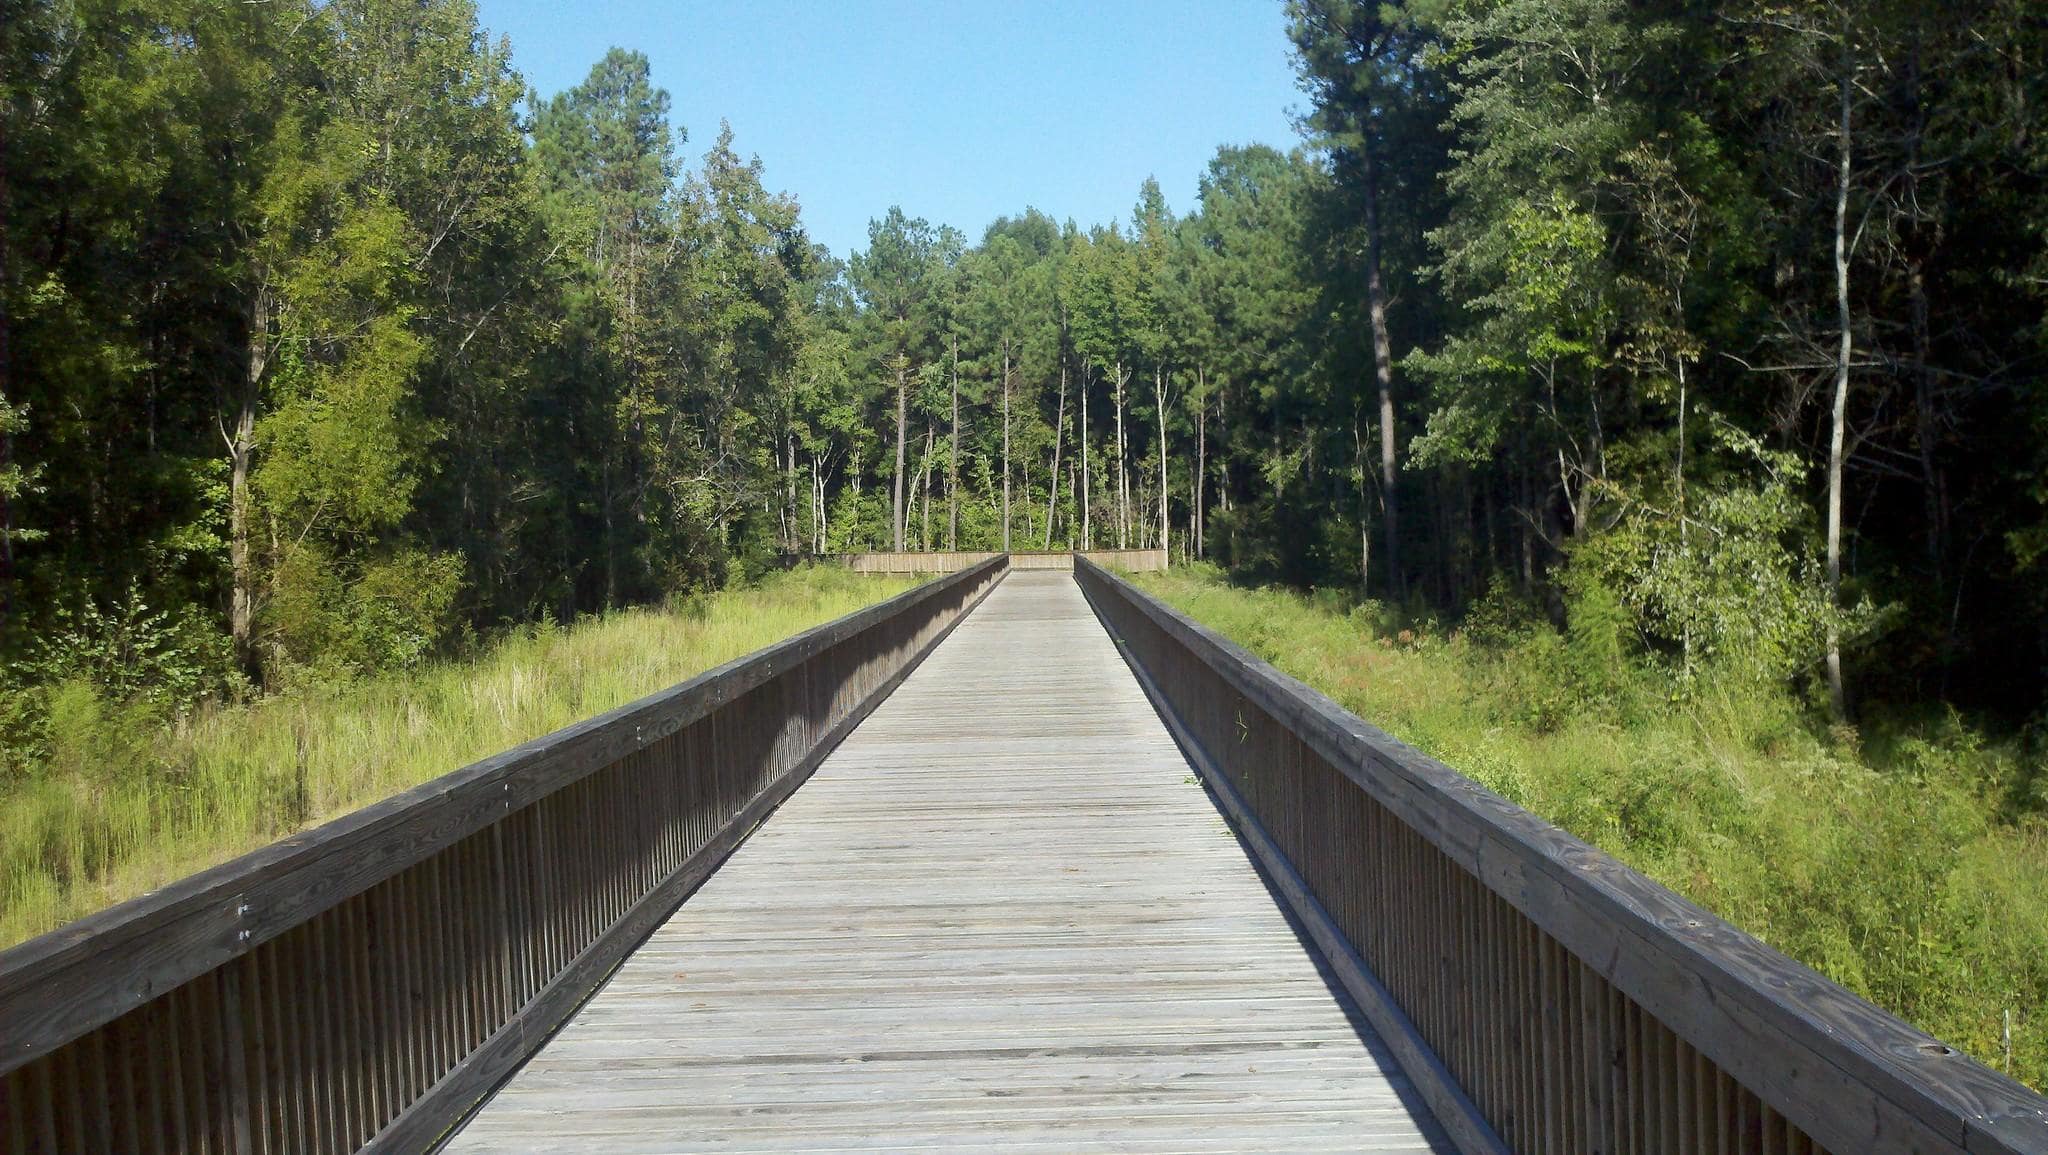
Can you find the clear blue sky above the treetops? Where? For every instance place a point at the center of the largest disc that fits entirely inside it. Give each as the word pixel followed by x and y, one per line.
pixel 957 112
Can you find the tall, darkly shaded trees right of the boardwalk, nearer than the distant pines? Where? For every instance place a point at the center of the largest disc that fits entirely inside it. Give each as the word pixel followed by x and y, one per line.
pixel 1727 314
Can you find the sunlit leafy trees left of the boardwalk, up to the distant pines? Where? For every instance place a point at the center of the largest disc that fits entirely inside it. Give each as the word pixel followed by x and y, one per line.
pixel 327 345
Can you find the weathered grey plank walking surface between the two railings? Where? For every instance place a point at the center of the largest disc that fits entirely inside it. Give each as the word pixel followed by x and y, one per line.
pixel 1000 914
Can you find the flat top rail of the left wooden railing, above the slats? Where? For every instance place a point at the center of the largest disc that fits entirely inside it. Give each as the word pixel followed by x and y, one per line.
pixel 91 972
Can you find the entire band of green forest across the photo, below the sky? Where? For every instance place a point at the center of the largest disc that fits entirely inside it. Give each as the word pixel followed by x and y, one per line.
pixel 327 345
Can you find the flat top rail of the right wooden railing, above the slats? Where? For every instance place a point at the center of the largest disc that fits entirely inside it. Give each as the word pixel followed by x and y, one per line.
pixel 1707 980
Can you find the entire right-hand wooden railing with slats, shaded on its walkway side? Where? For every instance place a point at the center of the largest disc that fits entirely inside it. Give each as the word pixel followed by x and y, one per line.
pixel 1543 996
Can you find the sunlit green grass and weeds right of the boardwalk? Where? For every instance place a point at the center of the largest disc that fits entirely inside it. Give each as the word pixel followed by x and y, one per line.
pixel 1906 861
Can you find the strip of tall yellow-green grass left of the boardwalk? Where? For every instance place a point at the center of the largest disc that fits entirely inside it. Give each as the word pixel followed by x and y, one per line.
pixel 126 806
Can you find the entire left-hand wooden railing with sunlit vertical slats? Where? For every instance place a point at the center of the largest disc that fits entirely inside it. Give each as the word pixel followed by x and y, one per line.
pixel 368 982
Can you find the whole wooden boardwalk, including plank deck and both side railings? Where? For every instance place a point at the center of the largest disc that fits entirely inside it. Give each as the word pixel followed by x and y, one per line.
pixel 1066 871
